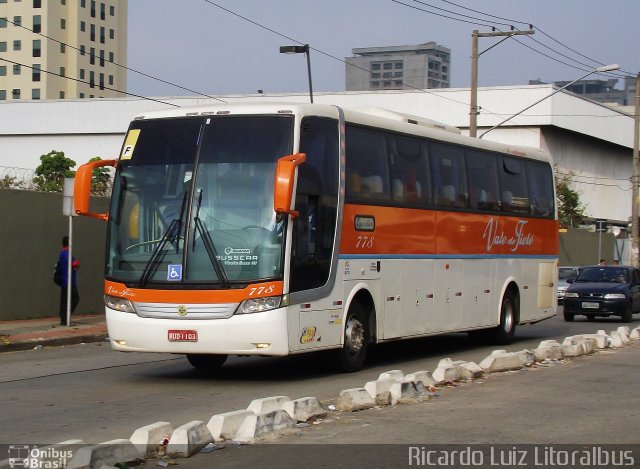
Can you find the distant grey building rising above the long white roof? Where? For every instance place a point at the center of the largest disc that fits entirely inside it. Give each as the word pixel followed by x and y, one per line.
pixel 399 67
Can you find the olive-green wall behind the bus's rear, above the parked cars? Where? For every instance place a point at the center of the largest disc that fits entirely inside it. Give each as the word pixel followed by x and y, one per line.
pixel 580 247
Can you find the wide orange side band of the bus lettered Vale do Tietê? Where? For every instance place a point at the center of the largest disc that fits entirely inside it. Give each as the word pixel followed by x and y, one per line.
pixel 404 231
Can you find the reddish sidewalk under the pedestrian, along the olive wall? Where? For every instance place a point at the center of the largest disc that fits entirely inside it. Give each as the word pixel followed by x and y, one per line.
pixel 26 334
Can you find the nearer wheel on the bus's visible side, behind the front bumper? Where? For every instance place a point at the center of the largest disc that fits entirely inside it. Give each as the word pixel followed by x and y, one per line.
pixel 353 353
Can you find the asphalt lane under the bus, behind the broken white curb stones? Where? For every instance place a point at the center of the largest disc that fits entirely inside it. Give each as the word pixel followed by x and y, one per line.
pixel 91 393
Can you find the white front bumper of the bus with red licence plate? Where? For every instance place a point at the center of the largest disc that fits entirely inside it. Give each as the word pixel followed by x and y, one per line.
pixel 262 333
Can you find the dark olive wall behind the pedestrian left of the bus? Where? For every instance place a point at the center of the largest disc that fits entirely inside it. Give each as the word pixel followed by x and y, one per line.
pixel 31 230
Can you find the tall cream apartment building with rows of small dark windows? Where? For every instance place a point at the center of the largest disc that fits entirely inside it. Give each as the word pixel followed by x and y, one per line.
pixel 59 49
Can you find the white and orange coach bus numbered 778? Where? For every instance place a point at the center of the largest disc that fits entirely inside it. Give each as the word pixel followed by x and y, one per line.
pixel 277 229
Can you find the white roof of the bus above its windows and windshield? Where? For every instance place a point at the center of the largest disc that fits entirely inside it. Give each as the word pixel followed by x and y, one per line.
pixel 371 116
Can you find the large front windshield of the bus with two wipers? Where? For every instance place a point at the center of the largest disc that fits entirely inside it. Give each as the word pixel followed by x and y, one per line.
pixel 193 202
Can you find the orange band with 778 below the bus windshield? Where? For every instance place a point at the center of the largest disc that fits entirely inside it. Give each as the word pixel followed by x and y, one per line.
pixel 257 290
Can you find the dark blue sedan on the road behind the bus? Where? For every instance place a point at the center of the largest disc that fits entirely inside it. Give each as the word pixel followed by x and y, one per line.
pixel 604 291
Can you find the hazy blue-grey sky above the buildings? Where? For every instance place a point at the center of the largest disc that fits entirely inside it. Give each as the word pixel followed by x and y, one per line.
pixel 226 47
